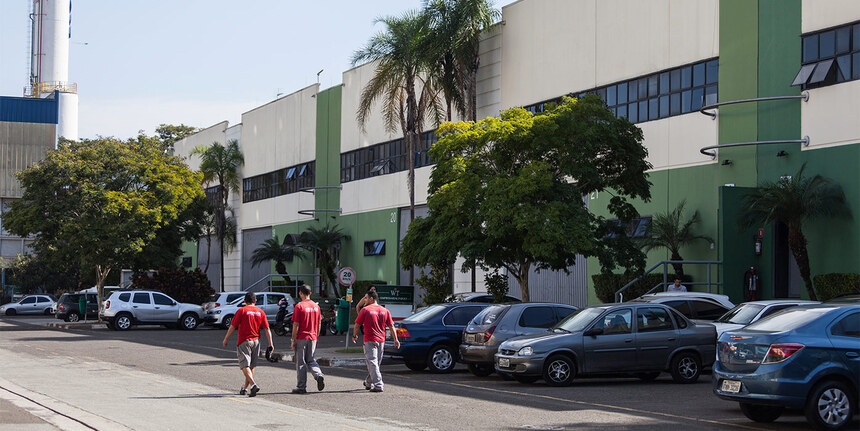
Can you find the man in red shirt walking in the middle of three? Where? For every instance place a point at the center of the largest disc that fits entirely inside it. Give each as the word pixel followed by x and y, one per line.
pixel 306 326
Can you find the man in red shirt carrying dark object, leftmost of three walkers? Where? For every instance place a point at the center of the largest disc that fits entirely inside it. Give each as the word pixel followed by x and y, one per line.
pixel 249 320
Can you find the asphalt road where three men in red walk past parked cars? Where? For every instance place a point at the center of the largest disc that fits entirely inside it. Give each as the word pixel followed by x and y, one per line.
pixel 414 400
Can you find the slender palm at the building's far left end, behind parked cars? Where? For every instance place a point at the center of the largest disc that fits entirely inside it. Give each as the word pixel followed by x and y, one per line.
pixel 220 165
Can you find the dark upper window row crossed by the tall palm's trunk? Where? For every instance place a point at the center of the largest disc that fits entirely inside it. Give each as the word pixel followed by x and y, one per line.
pixel 384 158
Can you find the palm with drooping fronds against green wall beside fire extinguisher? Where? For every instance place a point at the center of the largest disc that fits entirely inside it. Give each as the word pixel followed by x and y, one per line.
pixel 793 201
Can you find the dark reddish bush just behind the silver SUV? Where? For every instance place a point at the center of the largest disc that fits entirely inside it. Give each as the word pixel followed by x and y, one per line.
pixel 184 286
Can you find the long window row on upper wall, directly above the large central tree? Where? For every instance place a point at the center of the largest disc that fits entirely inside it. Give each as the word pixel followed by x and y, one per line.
pixel 660 95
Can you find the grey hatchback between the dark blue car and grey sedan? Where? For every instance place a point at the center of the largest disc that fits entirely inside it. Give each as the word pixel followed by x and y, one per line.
pixel 500 322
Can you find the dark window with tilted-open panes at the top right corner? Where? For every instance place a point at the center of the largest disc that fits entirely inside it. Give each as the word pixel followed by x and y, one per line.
pixel 829 57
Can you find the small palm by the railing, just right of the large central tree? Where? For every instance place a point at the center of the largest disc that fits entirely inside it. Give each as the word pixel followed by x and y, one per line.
pixel 670 231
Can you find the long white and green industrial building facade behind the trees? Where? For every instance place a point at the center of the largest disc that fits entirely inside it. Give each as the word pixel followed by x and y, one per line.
pixel 657 63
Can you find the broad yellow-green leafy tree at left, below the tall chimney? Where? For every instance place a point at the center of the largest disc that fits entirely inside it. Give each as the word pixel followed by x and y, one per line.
pixel 100 202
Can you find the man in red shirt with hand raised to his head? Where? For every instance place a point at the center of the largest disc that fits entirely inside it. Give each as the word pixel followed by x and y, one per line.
pixel 375 319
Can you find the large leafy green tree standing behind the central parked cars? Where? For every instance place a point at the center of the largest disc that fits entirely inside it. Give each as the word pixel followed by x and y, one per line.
pixel 509 192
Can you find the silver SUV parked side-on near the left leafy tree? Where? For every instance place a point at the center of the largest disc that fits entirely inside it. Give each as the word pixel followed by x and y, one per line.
pixel 126 308
